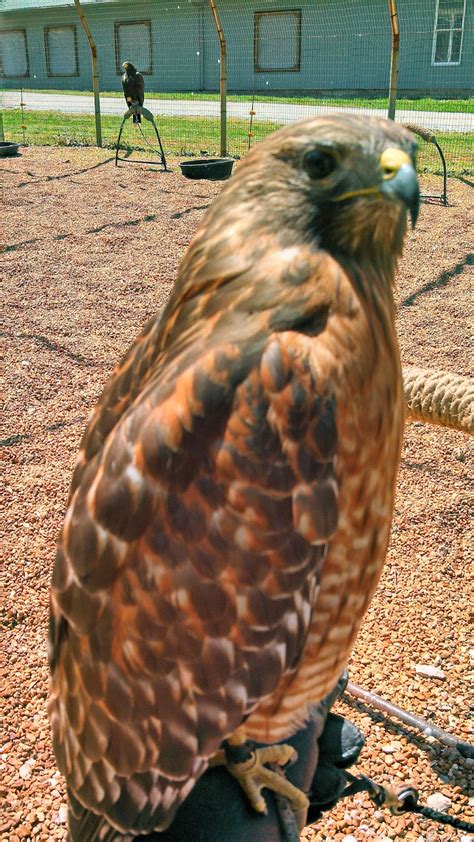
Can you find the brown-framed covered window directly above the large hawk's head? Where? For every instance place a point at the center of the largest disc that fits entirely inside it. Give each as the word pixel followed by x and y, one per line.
pixel 277 41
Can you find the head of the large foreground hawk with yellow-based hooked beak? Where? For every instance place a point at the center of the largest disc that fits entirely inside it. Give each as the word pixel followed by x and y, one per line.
pixel 345 181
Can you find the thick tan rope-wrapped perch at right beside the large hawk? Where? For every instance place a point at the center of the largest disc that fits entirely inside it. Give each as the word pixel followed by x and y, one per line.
pixel 439 397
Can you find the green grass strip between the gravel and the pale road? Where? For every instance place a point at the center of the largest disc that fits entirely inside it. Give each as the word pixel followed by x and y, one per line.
pixel 197 135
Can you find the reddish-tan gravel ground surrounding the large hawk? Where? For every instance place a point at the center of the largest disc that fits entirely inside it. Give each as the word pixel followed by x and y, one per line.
pixel 91 253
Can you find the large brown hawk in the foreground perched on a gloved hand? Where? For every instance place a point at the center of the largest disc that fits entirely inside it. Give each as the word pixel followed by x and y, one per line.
pixel 231 503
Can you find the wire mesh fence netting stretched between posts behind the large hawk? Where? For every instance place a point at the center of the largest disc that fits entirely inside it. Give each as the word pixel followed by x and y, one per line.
pixel 282 64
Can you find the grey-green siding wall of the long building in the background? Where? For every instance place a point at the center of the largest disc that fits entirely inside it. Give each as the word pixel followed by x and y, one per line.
pixel 344 46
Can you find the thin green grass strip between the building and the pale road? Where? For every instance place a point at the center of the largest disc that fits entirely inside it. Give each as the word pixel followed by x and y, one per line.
pixel 464 106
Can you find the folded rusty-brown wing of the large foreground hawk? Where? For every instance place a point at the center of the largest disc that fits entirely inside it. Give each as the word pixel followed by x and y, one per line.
pixel 211 498
